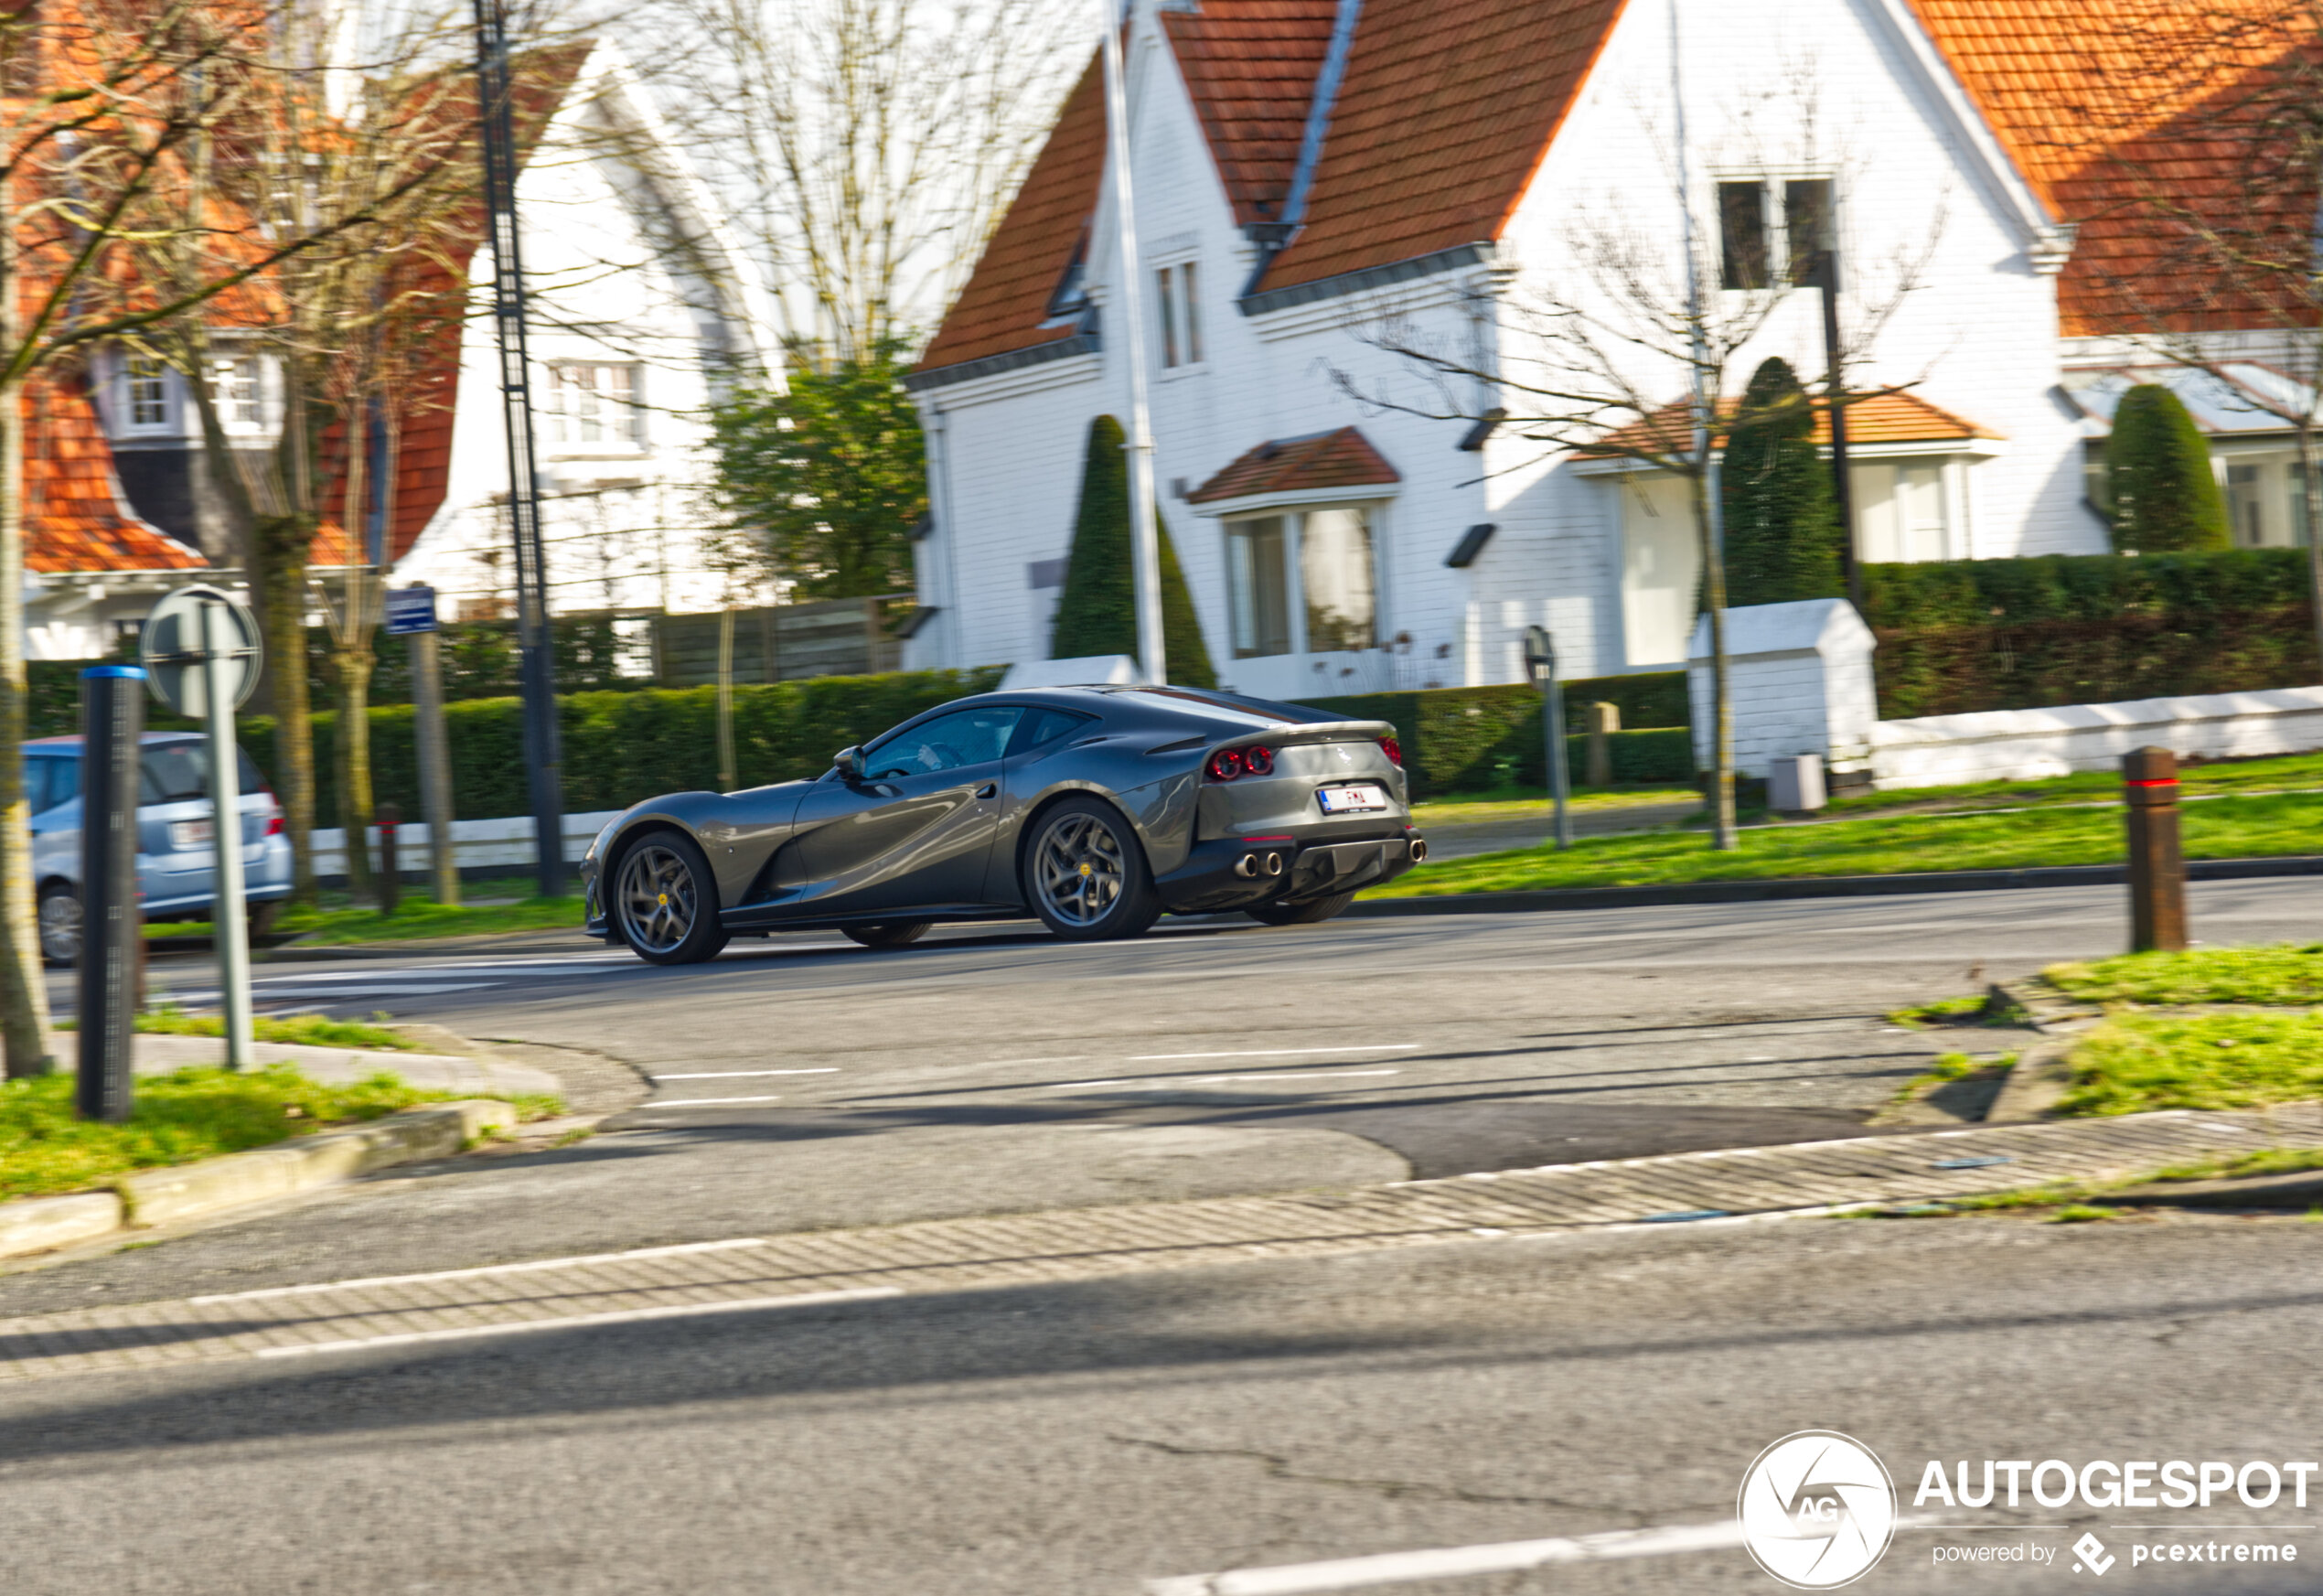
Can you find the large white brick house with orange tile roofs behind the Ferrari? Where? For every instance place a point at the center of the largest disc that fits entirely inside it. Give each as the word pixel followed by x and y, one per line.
pixel 1316 171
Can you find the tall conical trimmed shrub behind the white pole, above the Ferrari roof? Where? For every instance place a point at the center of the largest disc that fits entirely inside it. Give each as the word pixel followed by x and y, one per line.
pixel 1100 612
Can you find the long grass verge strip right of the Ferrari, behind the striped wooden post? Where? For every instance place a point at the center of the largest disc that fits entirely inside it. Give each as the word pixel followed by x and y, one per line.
pixel 1880 847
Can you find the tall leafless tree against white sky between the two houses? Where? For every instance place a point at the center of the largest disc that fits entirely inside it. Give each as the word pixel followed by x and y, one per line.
pixel 868 145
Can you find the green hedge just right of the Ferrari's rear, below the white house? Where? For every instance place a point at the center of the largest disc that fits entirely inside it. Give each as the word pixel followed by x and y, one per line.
pixel 1476 740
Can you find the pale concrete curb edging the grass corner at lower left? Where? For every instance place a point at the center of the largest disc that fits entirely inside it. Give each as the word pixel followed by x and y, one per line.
pixel 240 1179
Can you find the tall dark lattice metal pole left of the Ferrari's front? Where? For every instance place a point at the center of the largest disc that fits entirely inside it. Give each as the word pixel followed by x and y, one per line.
pixel 542 761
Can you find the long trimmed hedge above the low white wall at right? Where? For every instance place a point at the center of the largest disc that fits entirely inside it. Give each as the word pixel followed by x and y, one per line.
pixel 1973 635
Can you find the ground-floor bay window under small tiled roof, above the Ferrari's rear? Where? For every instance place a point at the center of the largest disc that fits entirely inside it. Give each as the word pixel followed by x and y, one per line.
pixel 1302 582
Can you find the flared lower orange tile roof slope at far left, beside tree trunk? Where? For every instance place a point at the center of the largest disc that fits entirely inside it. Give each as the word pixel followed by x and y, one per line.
pixel 73 512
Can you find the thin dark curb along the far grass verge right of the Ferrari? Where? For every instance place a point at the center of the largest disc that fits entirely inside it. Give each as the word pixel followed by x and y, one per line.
pixel 1815 886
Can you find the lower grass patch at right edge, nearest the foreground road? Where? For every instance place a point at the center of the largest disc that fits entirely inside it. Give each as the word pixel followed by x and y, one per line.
pixel 2143 1063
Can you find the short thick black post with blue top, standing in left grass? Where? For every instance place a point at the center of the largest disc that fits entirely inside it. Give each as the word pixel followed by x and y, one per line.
pixel 113 726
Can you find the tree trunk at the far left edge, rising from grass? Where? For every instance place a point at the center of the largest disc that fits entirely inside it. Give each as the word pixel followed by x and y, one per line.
pixel 24 991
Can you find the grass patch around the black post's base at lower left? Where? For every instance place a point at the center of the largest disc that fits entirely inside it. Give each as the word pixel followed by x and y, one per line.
pixel 180 1119
